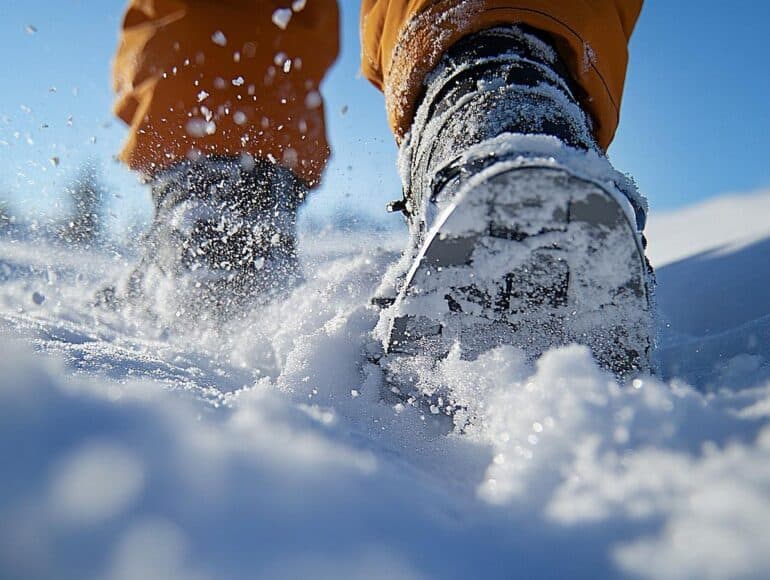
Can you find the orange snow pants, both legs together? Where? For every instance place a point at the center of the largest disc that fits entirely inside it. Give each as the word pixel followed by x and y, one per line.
pixel 228 77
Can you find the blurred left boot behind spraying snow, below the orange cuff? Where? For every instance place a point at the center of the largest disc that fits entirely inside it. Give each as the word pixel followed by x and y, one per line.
pixel 223 237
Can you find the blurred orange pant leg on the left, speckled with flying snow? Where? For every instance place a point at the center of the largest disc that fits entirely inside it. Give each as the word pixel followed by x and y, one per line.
pixel 210 77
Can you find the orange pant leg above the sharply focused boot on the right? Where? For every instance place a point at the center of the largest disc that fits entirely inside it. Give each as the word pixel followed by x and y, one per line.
pixel 403 40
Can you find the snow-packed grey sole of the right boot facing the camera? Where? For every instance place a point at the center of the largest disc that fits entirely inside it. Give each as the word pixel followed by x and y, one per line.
pixel 532 257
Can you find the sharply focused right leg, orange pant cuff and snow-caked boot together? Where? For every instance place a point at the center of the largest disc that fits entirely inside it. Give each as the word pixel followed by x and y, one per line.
pixel 522 232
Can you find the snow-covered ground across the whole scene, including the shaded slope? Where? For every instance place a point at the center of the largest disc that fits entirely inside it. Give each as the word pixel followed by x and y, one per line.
pixel 138 451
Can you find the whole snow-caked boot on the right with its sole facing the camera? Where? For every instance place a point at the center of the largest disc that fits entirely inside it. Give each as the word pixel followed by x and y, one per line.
pixel 521 231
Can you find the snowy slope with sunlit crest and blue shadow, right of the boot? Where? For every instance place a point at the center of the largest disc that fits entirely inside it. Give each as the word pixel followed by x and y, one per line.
pixel 712 266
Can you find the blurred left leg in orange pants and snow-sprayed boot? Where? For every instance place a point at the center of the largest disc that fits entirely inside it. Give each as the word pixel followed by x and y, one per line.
pixel 227 123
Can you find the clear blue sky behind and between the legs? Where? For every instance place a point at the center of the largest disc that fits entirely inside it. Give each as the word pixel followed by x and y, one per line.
pixel 695 121
